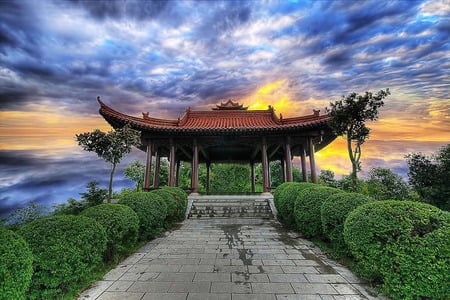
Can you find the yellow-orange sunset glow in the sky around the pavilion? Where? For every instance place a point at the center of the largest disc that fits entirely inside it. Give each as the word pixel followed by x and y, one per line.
pixel 391 136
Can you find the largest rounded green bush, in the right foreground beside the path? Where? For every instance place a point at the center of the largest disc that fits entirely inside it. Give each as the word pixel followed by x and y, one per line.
pixel 403 244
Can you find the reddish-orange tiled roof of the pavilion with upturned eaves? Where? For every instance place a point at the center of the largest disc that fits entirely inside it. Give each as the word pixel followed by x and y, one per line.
pixel 215 120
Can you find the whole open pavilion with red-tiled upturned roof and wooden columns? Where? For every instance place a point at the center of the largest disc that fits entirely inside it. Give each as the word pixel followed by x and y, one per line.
pixel 229 133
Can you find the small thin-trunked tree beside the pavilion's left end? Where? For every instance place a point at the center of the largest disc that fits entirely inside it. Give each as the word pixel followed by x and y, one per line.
pixel 111 146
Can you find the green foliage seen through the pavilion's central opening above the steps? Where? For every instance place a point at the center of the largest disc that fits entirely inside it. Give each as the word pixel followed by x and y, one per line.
pixel 229 178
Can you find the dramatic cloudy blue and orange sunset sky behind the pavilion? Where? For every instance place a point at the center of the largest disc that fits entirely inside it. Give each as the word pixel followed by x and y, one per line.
pixel 56 57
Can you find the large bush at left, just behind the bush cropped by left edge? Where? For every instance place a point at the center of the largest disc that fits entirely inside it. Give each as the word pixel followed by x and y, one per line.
pixel 65 249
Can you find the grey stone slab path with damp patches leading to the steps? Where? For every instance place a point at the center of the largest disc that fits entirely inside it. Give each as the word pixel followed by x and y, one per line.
pixel 229 259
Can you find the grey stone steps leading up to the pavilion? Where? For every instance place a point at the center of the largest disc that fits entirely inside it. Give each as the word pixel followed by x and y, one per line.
pixel 255 206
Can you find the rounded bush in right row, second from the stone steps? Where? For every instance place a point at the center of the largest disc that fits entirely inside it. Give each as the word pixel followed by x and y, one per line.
pixel 307 209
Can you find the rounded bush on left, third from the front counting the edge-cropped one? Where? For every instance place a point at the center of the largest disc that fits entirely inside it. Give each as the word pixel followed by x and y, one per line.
pixel 121 224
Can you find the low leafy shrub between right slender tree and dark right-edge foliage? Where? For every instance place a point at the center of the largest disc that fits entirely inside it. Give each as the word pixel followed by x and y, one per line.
pixel 383 184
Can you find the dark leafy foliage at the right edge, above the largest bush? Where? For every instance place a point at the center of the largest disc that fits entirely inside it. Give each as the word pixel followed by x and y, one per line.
pixel 430 176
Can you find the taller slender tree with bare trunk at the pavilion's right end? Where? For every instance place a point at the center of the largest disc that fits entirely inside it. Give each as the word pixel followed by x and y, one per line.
pixel 348 118
